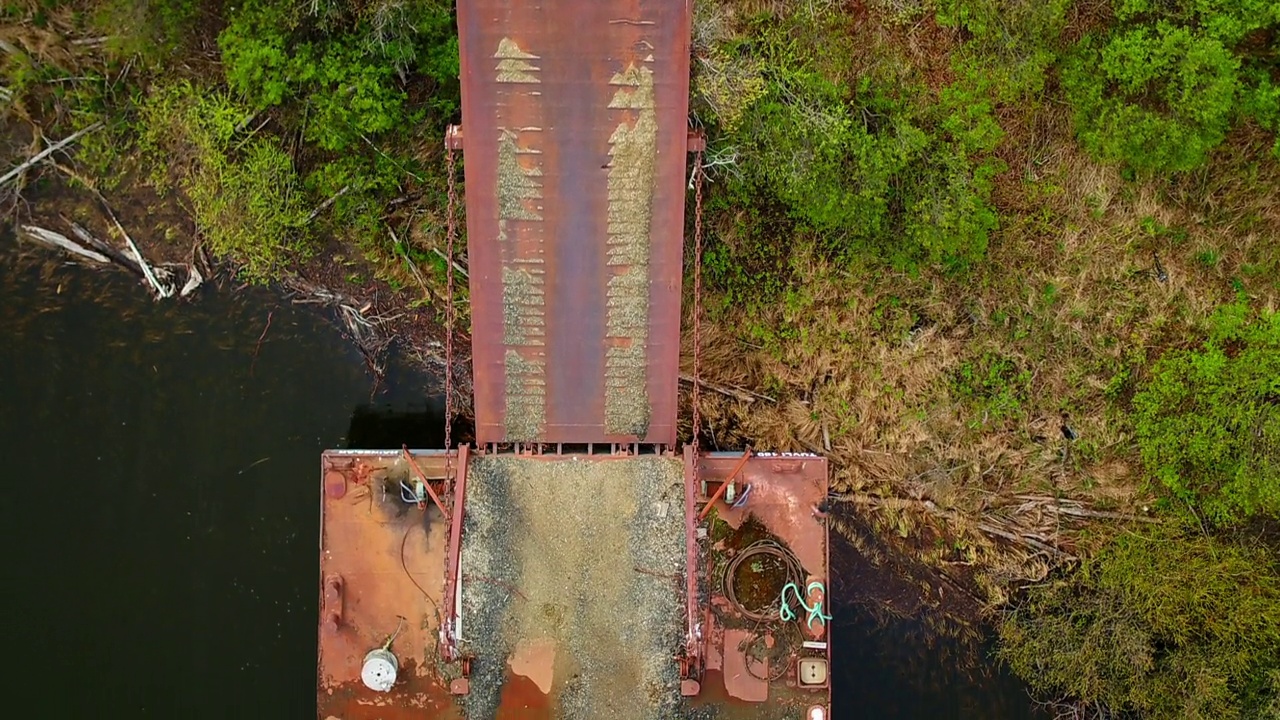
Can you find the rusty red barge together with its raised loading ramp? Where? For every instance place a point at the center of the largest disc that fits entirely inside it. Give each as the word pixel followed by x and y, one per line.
pixel 574 563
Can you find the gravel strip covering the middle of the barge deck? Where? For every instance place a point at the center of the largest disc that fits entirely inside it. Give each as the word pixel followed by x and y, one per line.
pixel 597 553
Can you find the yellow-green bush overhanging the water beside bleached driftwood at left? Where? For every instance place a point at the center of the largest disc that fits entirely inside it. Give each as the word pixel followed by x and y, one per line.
pixel 243 190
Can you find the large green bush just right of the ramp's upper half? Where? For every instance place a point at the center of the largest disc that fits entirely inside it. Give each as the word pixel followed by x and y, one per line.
pixel 863 168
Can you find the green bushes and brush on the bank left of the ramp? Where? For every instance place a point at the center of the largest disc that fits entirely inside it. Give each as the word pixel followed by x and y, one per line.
pixel 259 115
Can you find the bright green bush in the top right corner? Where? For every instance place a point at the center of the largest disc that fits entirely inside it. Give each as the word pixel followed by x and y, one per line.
pixel 1164 89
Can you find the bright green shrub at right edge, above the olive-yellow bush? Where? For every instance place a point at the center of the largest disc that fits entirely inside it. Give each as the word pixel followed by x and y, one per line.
pixel 1209 422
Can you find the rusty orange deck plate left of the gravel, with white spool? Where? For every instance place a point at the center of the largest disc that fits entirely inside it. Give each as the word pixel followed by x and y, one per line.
pixel 388 560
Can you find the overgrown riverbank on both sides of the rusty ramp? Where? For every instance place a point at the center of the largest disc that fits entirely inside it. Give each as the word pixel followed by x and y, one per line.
pixel 927 256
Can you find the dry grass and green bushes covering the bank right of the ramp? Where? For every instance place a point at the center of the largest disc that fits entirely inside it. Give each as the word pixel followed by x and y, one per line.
pixel 996 258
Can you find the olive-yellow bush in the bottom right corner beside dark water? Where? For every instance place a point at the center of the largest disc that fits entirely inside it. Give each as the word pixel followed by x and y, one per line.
pixel 1171 627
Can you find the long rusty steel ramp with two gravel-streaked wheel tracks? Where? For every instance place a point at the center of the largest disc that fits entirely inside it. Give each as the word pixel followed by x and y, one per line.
pixel 575 143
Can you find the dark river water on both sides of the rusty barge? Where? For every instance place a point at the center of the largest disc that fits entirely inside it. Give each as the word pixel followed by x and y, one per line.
pixel 161 514
